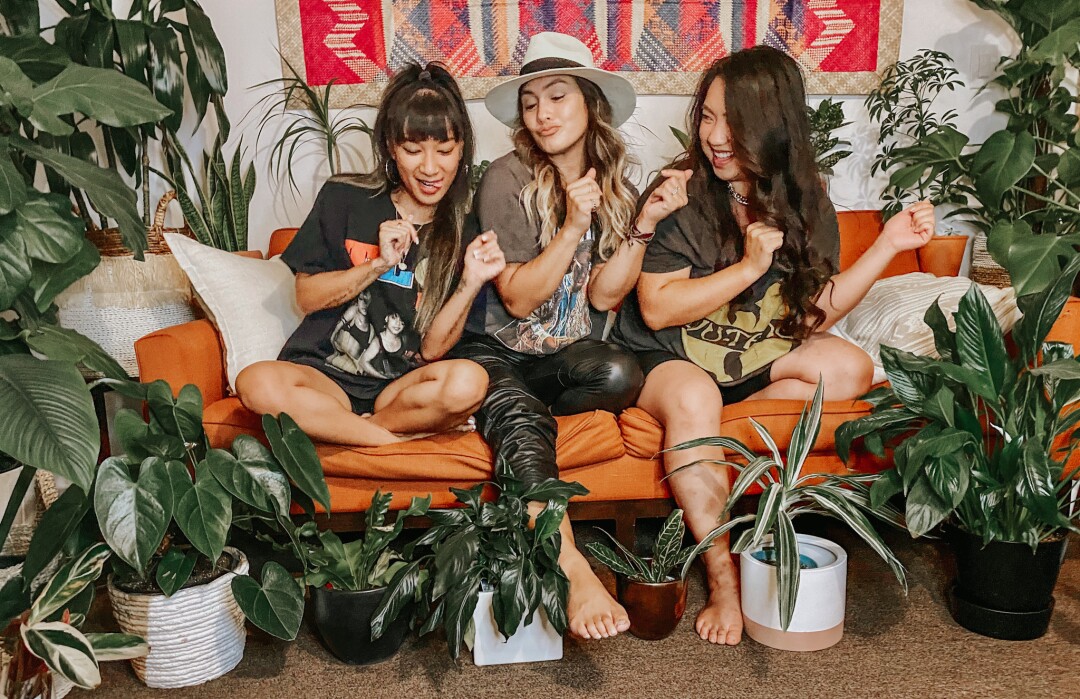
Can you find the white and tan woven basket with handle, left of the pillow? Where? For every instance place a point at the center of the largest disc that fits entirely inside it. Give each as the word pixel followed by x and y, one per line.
pixel 124 300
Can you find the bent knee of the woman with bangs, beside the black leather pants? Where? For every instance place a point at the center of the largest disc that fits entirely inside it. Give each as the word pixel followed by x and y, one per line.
pixel 433 399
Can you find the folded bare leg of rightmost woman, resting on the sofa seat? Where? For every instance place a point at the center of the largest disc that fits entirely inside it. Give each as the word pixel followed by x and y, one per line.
pixel 846 370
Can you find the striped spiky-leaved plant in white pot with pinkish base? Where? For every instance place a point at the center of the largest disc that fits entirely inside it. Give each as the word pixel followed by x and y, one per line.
pixel 794 586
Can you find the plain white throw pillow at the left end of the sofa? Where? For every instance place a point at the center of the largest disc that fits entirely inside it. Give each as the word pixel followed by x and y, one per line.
pixel 252 302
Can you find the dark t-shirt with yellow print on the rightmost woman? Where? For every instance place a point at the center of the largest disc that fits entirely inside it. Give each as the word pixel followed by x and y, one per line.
pixel 738 341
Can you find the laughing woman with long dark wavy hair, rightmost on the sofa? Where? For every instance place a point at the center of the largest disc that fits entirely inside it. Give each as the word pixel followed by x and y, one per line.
pixel 740 285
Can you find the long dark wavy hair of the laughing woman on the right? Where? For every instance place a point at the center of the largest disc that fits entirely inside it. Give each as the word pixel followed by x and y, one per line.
pixel 766 112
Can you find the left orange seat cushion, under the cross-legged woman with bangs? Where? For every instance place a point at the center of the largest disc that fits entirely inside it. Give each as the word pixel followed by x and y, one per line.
pixel 584 440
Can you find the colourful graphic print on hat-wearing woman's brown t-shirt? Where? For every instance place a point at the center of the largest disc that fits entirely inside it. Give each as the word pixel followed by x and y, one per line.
pixel 563 319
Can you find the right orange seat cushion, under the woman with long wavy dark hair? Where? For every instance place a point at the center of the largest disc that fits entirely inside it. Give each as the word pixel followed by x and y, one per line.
pixel 644 436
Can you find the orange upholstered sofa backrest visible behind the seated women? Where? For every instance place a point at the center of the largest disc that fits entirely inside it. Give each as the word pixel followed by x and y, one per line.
pixel 859 230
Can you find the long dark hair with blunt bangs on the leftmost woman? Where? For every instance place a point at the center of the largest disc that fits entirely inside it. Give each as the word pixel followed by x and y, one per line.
pixel 421 104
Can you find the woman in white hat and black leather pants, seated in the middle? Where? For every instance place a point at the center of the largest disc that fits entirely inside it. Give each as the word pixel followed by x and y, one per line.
pixel 564 214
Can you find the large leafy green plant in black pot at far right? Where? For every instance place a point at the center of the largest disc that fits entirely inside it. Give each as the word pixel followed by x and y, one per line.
pixel 983 440
